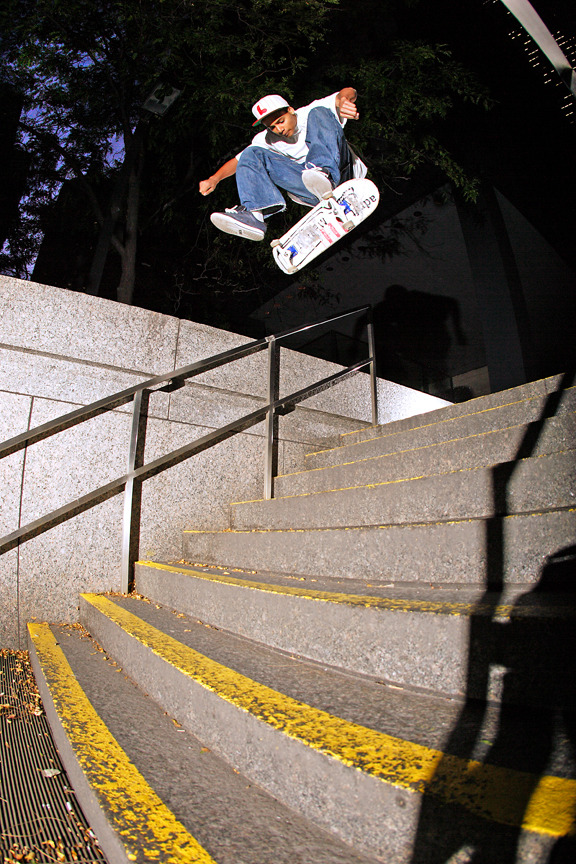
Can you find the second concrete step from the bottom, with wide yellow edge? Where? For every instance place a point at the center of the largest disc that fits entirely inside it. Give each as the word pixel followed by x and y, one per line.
pixel 357 757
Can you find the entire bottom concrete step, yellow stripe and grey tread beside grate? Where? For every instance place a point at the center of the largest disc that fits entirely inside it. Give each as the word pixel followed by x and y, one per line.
pixel 154 791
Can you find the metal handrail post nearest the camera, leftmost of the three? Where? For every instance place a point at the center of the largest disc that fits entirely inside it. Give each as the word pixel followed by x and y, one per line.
pixel 133 491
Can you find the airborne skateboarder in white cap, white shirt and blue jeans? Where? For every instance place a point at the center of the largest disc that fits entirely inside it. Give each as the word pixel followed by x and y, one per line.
pixel 302 151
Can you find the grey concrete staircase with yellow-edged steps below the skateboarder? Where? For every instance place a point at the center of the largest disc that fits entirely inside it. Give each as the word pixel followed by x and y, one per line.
pixel 377 665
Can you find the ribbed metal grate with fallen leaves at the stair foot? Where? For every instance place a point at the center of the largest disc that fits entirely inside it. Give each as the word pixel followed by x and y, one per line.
pixel 40 819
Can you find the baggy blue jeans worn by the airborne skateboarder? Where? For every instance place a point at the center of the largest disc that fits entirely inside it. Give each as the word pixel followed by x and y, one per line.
pixel 262 173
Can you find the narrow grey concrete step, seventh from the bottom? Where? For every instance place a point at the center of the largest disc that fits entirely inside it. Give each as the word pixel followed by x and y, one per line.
pixel 439 426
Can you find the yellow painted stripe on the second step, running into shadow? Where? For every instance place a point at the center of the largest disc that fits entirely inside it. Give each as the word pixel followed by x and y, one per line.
pixel 545 805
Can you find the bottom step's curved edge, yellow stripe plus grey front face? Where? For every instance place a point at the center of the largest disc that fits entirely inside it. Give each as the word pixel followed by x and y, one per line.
pixel 129 819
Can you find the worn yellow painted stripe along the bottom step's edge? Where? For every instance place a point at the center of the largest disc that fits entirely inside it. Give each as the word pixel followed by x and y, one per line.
pixel 142 822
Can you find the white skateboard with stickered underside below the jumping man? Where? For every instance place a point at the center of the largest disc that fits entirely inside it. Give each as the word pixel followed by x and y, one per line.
pixel 336 215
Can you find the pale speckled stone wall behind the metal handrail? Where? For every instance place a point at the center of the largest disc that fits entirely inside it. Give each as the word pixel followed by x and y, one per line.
pixel 61 349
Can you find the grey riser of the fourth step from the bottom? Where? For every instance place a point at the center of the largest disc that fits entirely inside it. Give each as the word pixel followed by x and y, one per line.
pixel 485 552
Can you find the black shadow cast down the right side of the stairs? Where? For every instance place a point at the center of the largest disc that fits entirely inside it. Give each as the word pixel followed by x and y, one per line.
pixel 521 675
